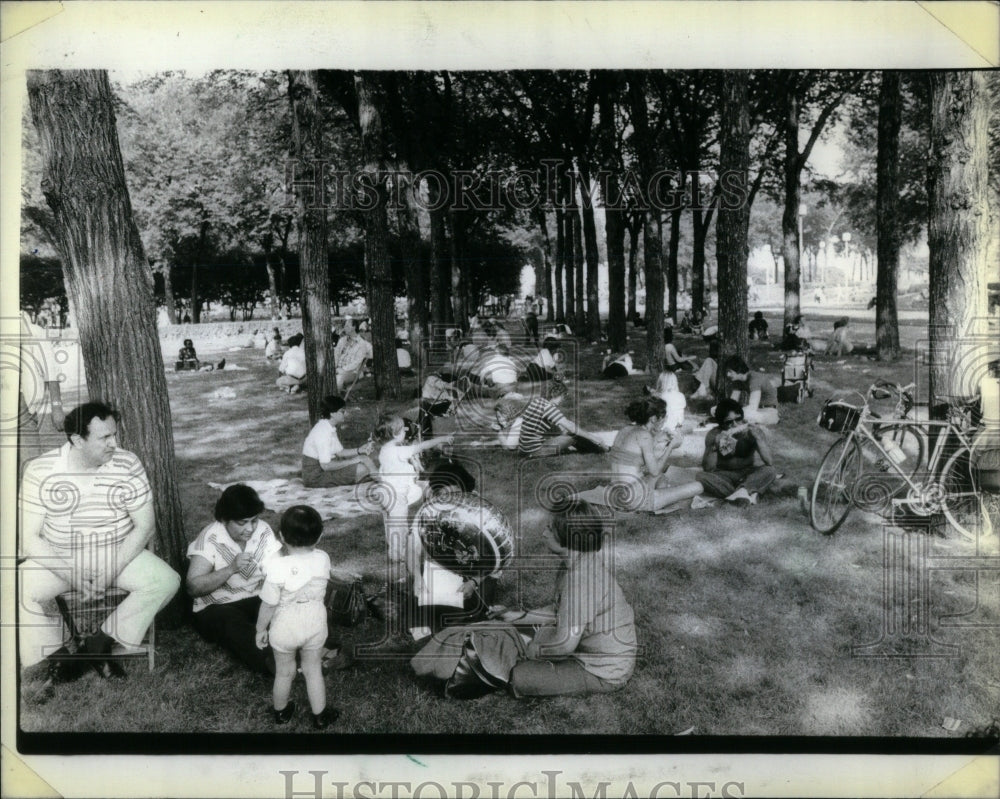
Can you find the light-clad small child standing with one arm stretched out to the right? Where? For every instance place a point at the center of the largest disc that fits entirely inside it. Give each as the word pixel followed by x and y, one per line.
pixel 398 472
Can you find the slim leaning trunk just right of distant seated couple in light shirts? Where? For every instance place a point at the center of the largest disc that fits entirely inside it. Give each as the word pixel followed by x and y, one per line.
pixel 381 303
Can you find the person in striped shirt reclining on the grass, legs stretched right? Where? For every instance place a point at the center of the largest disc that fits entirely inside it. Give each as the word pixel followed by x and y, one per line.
pixel 545 430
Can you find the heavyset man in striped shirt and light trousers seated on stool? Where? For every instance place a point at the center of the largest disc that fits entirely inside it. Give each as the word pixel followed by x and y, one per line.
pixel 86 518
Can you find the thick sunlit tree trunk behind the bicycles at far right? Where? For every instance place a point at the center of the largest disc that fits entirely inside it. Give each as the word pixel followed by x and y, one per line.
pixel 958 233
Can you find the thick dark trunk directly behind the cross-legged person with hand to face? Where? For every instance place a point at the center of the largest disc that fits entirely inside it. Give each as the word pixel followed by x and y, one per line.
pixel 732 249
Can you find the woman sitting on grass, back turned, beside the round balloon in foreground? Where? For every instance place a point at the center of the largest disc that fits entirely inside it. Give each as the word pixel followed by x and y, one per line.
pixel 586 642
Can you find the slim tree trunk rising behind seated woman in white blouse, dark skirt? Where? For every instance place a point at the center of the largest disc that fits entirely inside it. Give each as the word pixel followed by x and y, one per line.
pixel 314 259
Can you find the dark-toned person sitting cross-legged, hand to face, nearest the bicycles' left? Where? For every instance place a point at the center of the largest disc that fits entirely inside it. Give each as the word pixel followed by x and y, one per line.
pixel 729 467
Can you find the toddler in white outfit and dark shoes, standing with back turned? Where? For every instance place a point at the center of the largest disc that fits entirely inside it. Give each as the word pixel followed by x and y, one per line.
pixel 292 615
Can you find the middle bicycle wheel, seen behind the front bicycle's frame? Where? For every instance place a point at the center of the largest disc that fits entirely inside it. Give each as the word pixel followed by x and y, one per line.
pixel 887 467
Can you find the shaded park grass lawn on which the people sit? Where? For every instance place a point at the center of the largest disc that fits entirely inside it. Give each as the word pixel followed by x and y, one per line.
pixel 746 617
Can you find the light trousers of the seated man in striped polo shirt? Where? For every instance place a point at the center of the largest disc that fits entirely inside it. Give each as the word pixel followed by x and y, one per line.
pixel 151 584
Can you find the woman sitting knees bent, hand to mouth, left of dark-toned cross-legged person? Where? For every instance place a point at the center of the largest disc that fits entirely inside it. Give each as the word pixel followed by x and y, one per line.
pixel 642 465
